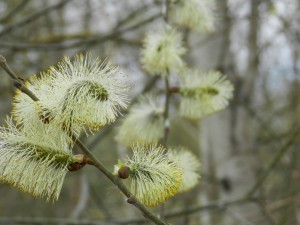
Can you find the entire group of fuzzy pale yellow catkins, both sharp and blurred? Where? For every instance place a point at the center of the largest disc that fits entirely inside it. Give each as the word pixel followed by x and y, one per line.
pixel 85 94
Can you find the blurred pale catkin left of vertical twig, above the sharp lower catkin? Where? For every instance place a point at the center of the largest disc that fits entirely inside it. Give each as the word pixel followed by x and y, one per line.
pixel 143 123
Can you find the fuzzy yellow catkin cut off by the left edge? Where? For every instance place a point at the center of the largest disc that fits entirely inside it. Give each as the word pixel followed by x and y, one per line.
pixel 32 161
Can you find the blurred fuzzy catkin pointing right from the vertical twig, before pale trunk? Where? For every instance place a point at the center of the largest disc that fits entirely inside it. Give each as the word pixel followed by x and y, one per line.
pixel 203 93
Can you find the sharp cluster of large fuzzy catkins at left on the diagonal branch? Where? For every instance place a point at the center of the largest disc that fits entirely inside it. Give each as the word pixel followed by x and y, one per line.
pixel 76 96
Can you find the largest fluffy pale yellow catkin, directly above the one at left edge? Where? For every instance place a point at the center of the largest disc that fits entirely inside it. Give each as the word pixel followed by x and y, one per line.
pixel 79 94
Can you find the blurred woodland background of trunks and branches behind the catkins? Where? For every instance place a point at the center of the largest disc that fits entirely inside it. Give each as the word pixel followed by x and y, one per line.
pixel 249 152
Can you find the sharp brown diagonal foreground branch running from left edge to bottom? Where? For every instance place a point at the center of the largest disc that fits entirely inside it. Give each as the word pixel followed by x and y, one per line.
pixel 93 160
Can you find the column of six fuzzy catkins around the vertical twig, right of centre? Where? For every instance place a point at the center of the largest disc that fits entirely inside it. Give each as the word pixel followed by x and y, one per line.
pixel 158 173
